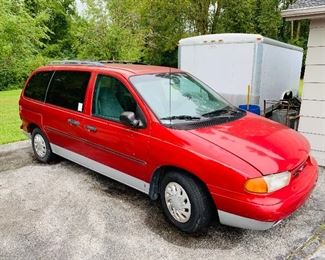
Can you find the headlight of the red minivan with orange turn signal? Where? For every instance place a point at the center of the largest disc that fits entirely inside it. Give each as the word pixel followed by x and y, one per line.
pixel 267 184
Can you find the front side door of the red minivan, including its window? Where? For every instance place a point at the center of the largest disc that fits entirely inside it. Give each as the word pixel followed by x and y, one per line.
pixel 111 143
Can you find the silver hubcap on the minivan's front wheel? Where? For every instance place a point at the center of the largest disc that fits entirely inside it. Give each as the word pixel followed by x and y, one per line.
pixel 177 202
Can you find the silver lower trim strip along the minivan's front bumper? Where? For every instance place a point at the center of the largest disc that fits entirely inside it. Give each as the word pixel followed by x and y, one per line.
pixel 233 220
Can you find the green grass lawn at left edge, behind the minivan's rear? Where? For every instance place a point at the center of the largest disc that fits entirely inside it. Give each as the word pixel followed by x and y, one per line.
pixel 9 117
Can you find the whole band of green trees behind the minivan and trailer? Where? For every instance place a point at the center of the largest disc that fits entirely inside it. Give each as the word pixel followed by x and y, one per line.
pixel 34 31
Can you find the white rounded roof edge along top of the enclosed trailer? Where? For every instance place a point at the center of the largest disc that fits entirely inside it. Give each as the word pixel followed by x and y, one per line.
pixel 233 38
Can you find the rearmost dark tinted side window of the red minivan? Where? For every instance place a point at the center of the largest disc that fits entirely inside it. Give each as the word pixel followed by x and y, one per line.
pixel 37 85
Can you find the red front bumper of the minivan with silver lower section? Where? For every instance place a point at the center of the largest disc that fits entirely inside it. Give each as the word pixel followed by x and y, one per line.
pixel 261 212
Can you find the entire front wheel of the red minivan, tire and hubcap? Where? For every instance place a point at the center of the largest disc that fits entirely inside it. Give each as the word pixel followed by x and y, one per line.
pixel 185 202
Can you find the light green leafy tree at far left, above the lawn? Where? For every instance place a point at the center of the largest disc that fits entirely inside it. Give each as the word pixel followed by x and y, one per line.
pixel 21 41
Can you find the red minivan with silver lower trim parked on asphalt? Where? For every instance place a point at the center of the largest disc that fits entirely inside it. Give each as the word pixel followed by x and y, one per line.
pixel 167 134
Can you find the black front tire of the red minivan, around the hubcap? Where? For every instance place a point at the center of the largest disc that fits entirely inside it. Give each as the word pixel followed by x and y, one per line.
pixel 200 202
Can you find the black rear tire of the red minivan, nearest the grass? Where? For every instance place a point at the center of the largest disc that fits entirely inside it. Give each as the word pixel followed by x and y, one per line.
pixel 46 155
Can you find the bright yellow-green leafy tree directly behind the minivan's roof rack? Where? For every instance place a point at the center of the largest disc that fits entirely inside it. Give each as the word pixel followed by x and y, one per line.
pixel 105 34
